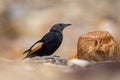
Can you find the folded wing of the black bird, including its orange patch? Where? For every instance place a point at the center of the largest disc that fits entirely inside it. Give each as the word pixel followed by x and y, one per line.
pixel 36 46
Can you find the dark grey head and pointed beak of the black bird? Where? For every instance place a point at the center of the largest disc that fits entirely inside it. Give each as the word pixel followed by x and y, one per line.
pixel 59 27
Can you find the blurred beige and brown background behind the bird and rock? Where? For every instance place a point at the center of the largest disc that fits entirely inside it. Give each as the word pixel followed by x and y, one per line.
pixel 23 22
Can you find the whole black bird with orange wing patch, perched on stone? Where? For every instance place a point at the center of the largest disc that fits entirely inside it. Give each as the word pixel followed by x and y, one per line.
pixel 49 43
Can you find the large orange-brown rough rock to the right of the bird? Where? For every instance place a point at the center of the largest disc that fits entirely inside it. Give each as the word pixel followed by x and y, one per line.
pixel 98 46
